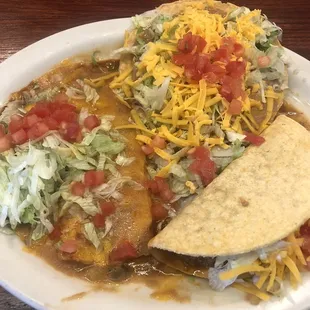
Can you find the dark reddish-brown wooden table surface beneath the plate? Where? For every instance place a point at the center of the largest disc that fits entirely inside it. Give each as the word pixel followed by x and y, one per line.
pixel 25 22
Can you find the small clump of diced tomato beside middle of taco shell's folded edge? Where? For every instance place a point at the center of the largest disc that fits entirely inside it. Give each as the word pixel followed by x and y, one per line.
pixel 203 165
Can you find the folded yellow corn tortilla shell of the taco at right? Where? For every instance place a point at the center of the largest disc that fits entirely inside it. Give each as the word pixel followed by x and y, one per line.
pixel 258 199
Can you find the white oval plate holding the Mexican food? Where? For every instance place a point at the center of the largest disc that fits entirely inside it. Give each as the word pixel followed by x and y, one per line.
pixel 35 282
